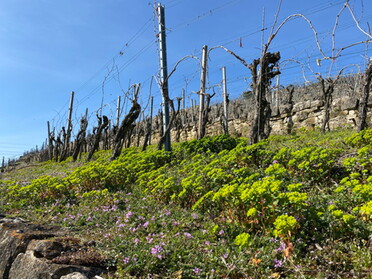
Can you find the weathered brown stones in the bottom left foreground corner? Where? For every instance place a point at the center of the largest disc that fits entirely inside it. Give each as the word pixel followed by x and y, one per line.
pixel 29 251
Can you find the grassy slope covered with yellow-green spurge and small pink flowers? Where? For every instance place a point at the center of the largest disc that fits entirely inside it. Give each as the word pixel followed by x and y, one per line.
pixel 294 206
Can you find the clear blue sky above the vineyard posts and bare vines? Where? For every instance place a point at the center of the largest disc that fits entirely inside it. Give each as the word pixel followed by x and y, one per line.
pixel 50 48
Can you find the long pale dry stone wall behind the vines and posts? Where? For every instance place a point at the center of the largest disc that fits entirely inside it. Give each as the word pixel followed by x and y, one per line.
pixel 308 114
